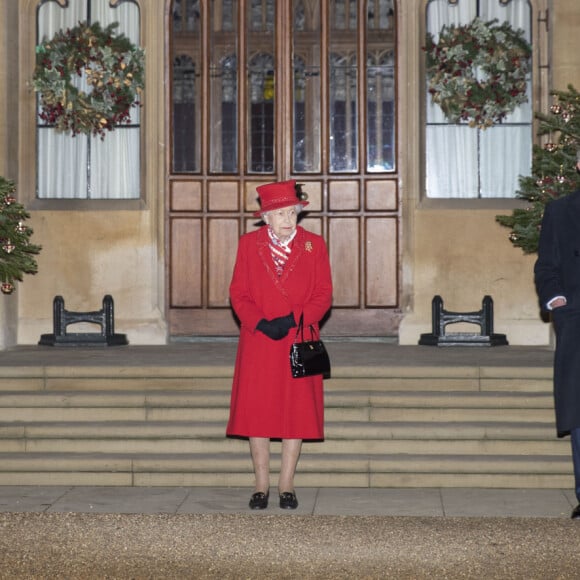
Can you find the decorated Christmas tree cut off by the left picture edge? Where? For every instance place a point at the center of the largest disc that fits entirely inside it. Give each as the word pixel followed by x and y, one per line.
pixel 16 251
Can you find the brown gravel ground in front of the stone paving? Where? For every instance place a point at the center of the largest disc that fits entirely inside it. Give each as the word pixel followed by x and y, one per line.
pixel 87 546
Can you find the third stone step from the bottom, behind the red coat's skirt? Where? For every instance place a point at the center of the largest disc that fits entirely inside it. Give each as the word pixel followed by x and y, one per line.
pixel 205 405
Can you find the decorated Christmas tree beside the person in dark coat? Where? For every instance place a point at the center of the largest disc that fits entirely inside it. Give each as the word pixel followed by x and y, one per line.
pixel 554 172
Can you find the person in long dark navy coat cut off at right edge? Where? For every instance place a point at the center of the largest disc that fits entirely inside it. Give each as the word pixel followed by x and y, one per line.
pixel 557 279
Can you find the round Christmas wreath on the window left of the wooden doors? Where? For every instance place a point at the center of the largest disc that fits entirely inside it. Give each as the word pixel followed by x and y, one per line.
pixel 88 79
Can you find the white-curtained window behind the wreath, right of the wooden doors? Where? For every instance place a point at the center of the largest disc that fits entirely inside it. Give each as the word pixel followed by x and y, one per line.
pixel 466 162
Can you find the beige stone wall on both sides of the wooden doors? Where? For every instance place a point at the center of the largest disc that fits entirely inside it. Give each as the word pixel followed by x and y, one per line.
pixel 455 249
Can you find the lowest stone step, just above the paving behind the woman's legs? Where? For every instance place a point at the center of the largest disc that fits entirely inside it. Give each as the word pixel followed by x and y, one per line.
pixel 316 471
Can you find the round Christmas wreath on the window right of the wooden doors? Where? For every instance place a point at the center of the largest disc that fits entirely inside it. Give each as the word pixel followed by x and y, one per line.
pixel 478 72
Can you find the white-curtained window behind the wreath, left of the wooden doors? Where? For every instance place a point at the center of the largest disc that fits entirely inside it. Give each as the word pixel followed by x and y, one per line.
pixel 87 166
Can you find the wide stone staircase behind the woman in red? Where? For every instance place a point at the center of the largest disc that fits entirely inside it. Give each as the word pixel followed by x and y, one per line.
pixel 424 426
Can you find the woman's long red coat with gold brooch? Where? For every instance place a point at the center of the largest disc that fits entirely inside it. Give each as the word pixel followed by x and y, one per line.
pixel 266 401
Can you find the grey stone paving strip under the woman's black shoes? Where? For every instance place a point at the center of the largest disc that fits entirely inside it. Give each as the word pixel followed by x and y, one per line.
pixel 407 502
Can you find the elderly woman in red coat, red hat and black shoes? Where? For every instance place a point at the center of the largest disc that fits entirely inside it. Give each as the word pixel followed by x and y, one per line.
pixel 282 272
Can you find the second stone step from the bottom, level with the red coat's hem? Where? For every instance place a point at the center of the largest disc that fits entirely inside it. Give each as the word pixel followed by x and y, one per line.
pixel 341 437
